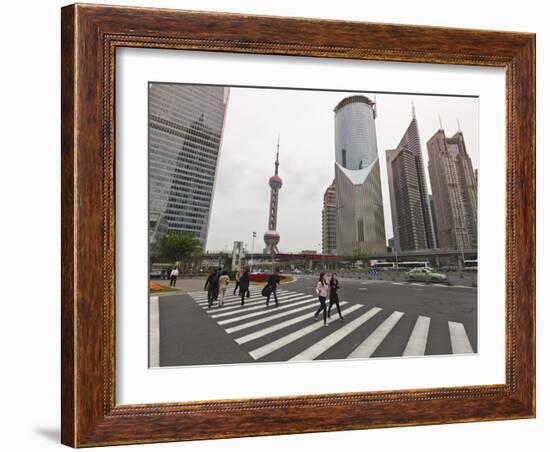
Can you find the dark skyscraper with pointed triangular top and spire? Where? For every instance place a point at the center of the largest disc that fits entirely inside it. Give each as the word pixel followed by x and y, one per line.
pixel 411 214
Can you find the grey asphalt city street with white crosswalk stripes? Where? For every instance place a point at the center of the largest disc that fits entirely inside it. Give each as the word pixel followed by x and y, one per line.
pixel 381 319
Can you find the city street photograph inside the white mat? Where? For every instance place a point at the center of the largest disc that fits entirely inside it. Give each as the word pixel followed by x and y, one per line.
pixel 297 224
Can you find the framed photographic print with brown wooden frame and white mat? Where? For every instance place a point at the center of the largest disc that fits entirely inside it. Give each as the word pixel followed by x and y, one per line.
pixel 271 222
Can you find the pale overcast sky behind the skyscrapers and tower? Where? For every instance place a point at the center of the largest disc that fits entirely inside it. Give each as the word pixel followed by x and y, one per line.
pixel 305 122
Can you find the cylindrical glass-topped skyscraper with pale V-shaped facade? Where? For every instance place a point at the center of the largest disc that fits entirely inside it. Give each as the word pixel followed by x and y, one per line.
pixel 359 212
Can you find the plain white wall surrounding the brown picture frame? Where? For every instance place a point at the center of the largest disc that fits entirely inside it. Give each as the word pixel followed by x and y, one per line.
pixel 30 187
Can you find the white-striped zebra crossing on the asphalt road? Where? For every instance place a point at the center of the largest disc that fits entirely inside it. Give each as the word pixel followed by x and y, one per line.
pixel 289 332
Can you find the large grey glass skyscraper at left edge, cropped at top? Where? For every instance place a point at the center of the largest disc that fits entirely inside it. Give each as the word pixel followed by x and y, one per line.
pixel 185 132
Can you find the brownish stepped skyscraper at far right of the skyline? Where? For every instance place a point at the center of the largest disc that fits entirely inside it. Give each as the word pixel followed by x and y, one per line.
pixel 454 191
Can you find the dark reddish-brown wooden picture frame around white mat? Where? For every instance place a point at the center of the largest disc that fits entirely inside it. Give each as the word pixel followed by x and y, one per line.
pixel 90 36
